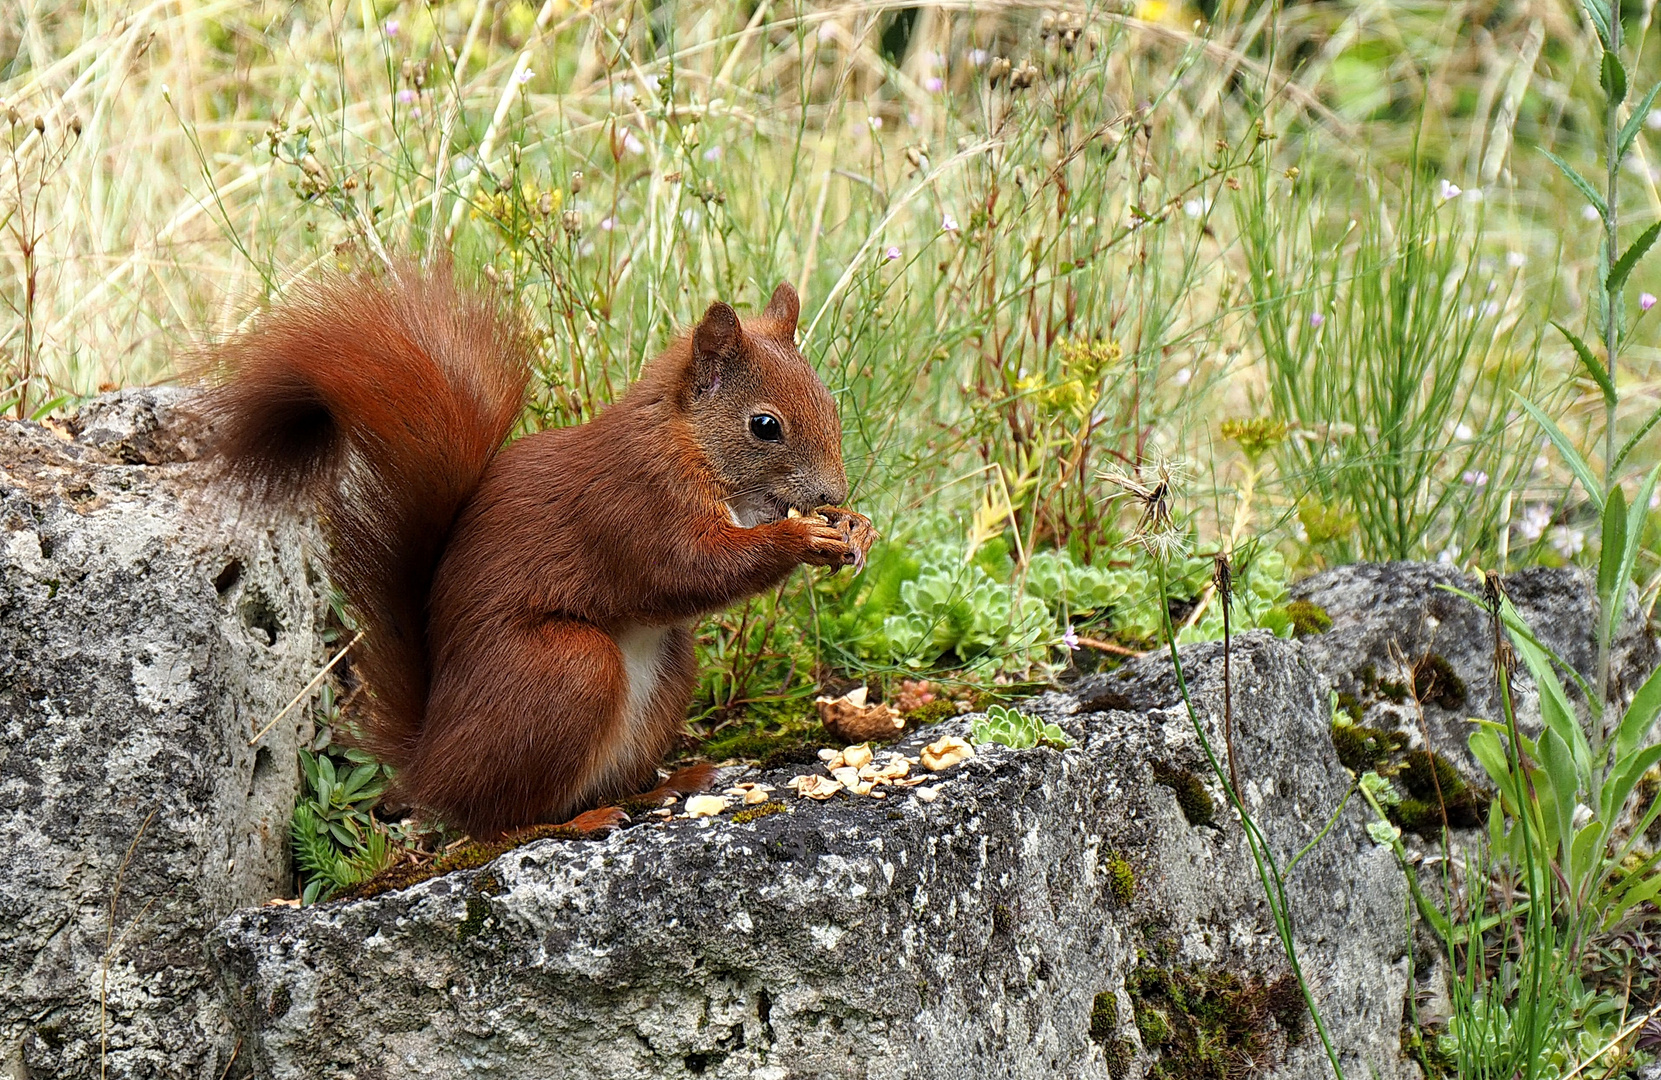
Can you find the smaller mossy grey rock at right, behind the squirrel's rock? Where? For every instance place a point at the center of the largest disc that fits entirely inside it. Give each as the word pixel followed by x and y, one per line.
pixel 1388 619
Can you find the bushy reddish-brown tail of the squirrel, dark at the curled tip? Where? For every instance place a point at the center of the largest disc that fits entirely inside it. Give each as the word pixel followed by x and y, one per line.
pixel 381 400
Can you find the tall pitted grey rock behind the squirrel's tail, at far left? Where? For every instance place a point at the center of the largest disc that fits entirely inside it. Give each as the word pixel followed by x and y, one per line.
pixel 144 639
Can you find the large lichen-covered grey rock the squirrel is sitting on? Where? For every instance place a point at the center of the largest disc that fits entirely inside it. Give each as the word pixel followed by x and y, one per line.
pixel 966 936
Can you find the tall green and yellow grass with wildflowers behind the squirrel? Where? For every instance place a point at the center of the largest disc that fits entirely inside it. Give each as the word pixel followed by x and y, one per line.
pixel 1235 247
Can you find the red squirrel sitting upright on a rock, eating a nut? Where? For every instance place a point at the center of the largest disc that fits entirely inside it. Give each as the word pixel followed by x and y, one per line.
pixel 527 606
